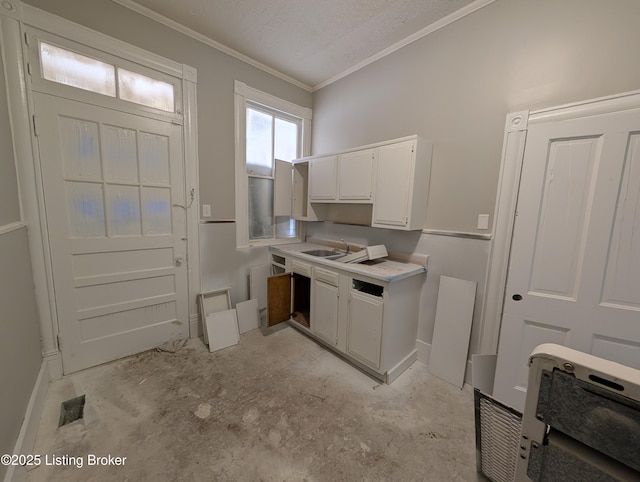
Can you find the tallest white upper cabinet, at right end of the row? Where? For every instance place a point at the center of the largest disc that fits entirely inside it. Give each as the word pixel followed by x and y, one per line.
pixel 402 185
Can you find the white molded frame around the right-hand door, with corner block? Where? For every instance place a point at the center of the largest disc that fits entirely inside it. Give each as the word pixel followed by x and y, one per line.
pixel 513 148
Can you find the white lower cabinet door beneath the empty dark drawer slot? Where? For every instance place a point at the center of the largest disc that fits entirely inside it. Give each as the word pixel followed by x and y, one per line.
pixel 364 328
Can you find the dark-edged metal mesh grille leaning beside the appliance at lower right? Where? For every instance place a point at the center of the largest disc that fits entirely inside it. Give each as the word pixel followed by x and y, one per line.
pixel 497 438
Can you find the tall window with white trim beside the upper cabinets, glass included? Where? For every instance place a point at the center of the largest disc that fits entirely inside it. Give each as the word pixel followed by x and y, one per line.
pixel 270 133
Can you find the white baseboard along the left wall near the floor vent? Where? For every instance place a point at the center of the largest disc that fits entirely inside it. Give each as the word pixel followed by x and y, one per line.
pixel 27 436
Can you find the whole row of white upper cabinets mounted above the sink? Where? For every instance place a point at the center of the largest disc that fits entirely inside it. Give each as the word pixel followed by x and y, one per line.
pixel 392 177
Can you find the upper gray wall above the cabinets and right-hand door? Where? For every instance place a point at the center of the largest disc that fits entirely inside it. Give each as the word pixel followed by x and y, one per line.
pixel 456 85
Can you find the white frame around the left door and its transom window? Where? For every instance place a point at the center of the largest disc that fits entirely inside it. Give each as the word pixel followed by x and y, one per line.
pixel 14 16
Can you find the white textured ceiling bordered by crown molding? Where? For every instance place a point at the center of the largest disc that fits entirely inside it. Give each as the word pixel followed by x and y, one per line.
pixel 311 41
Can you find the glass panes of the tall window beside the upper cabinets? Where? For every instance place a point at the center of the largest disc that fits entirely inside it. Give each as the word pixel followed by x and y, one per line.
pixel 270 135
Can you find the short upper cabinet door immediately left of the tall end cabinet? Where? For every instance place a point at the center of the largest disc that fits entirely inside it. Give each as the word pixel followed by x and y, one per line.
pixel 355 175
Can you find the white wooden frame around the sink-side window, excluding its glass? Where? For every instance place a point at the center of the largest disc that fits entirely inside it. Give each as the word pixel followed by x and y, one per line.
pixel 248 97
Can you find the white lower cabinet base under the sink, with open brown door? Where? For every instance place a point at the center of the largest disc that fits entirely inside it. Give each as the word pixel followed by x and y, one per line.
pixel 370 322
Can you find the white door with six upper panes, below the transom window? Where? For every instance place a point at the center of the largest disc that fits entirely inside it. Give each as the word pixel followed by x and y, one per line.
pixel 114 197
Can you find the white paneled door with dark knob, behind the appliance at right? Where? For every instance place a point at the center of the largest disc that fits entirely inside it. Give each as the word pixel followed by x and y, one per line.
pixel 574 274
